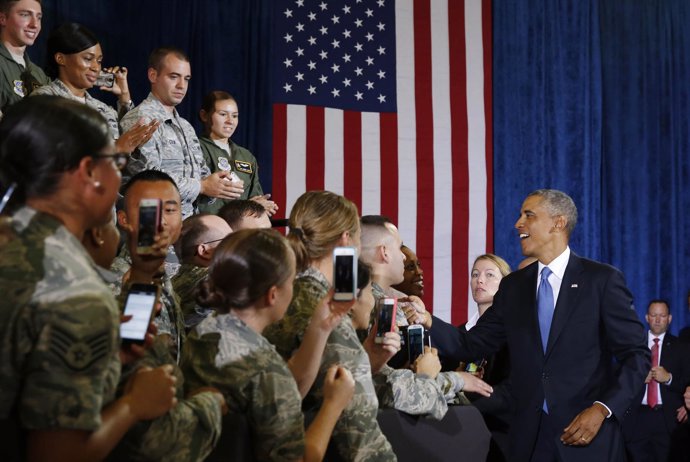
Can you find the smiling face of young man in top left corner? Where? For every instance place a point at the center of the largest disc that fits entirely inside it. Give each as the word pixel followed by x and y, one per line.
pixel 21 24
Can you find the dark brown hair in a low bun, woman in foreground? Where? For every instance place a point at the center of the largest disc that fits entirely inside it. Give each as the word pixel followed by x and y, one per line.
pixel 243 268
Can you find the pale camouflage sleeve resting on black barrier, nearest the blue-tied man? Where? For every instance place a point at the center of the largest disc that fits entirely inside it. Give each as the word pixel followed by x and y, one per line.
pixel 403 390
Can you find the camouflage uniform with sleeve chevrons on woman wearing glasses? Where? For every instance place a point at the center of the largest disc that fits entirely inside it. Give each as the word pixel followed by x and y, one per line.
pixel 59 363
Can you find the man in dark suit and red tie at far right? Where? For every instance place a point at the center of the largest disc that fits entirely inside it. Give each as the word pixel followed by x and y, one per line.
pixel 652 432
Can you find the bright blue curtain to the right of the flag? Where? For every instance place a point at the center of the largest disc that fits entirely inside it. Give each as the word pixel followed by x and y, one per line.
pixel 591 97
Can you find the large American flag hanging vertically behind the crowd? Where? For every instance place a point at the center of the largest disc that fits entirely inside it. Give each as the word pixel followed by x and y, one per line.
pixel 389 103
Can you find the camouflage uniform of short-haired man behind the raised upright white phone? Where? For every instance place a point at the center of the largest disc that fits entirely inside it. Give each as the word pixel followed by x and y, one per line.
pixel 169 321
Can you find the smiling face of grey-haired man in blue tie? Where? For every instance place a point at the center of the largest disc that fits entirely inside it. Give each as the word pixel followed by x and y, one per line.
pixel 542 236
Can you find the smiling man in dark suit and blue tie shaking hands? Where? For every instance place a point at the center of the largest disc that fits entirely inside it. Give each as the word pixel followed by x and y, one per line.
pixel 569 393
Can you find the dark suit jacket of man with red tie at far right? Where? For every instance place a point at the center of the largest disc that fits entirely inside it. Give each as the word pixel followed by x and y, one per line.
pixel 675 358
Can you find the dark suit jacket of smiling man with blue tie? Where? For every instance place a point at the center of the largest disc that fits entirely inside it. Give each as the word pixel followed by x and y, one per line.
pixel 593 323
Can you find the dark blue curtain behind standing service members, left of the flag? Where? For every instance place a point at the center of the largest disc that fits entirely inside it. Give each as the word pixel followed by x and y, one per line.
pixel 227 42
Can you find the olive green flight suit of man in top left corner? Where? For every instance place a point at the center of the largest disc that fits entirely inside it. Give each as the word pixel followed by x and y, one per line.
pixel 14 78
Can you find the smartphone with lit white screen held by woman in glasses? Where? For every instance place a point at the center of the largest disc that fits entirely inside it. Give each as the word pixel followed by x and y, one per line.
pixel 140 304
